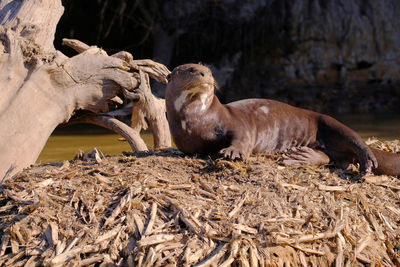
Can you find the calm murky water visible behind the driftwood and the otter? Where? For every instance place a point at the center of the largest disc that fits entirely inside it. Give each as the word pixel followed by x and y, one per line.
pixel 65 143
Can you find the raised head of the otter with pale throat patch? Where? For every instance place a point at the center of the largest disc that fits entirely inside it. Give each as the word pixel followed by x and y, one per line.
pixel 190 83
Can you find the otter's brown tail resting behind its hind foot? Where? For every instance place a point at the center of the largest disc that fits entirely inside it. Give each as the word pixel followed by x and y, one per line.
pixel 388 163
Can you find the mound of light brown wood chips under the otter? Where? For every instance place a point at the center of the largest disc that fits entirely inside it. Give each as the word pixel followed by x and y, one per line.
pixel 165 209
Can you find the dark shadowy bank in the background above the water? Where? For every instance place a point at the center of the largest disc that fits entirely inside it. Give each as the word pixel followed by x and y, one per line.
pixel 330 56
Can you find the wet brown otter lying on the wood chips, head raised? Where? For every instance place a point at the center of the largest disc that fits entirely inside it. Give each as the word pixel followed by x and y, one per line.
pixel 200 124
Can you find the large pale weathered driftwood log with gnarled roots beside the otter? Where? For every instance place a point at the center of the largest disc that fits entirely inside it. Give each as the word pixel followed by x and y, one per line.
pixel 42 88
